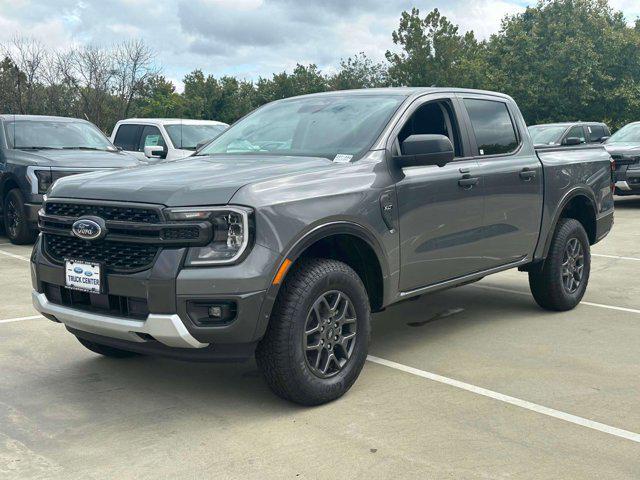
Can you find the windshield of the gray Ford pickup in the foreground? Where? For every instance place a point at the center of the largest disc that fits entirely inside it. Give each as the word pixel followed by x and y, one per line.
pixel 322 126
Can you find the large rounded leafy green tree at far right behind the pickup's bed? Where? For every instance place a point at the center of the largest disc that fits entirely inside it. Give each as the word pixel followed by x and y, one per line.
pixel 568 60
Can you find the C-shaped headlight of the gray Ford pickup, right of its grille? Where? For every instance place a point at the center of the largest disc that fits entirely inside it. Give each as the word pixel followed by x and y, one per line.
pixel 232 228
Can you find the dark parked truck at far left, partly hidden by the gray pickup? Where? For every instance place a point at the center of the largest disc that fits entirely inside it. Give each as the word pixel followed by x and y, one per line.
pixel 35 151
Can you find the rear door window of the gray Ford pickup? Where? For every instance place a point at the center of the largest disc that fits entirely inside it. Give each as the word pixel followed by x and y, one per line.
pixel 492 125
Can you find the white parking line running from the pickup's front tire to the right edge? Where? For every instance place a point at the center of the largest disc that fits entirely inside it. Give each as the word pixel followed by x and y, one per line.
pixel 567 417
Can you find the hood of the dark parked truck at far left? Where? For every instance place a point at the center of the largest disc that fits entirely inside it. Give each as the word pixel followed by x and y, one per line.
pixel 74 158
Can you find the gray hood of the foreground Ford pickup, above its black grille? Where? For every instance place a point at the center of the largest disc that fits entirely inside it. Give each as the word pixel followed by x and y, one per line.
pixel 193 181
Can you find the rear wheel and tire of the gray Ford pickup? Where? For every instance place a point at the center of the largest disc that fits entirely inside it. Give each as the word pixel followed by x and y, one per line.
pixel 562 281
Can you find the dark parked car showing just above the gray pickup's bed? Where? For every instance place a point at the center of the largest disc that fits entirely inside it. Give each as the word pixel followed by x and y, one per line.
pixel 569 134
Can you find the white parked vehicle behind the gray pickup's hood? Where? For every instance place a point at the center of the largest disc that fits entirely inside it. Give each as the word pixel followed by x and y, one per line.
pixel 169 138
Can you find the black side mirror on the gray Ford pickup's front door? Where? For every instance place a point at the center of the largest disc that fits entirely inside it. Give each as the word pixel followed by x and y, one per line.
pixel 422 150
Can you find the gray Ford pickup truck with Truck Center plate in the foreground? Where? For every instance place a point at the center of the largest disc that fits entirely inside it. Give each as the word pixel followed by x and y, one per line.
pixel 281 236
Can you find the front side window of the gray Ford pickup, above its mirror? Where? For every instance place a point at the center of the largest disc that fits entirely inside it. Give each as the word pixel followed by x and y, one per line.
pixel 435 118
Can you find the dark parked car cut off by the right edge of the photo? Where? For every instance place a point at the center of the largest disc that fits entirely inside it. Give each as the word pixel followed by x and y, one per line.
pixel 624 147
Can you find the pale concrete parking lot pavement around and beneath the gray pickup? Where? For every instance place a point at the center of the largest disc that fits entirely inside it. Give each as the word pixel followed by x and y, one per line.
pixel 474 382
